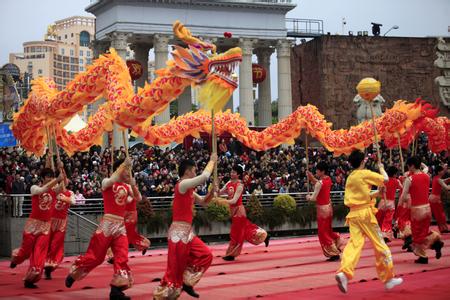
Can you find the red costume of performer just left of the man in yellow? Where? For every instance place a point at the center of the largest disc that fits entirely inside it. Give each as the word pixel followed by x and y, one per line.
pixel 329 241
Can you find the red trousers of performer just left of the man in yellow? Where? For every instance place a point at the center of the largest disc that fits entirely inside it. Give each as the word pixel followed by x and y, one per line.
pixel 330 241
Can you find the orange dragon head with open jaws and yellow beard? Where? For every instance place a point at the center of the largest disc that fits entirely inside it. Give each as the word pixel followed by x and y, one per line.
pixel 212 72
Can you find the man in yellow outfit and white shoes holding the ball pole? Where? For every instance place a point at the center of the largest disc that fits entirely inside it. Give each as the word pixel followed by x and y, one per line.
pixel 363 223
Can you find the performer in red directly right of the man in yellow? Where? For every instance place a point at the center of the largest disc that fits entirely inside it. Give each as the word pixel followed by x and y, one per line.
pixel 386 207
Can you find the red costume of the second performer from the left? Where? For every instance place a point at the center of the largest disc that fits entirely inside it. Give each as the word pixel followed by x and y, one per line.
pixel 55 252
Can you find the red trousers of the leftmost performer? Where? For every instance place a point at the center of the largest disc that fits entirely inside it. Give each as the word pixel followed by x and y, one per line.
pixel 34 246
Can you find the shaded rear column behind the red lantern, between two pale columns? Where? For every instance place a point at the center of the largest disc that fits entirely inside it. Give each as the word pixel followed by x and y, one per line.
pixel 264 92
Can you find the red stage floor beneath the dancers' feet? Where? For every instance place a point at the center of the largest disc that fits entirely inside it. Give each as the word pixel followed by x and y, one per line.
pixel 291 268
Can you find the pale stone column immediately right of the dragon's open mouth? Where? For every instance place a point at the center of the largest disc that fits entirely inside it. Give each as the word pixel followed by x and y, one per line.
pixel 245 81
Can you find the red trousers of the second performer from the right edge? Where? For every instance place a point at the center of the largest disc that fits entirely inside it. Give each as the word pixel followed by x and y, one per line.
pixel 422 236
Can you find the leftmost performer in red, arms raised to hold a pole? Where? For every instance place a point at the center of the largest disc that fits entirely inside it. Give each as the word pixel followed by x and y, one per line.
pixel 36 233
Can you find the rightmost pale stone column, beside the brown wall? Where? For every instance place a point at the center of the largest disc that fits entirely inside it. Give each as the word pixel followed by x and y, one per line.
pixel 284 79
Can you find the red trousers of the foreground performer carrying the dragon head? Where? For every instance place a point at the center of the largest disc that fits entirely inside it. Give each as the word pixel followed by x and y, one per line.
pixel 188 259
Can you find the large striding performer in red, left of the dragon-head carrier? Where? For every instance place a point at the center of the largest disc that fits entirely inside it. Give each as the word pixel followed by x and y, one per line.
pixel 111 232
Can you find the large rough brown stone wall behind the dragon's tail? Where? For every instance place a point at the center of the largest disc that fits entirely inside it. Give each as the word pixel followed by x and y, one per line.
pixel 326 70
